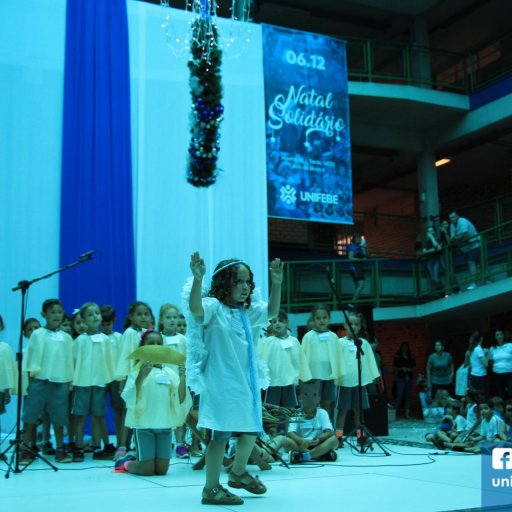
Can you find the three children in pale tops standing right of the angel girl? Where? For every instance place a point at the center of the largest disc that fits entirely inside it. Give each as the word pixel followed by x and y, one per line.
pixel 323 359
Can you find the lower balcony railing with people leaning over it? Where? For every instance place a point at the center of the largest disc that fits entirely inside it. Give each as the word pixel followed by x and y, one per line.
pixel 395 281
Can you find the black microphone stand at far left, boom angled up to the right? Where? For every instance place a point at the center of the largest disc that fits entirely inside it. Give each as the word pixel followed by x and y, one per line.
pixel 16 445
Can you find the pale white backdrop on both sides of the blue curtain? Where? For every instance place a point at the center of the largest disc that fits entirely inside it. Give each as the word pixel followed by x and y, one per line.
pixel 172 219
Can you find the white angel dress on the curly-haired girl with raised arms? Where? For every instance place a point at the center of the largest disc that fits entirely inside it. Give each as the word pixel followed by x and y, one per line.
pixel 221 367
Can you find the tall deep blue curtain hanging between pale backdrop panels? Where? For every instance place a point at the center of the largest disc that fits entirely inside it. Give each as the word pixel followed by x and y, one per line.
pixel 96 190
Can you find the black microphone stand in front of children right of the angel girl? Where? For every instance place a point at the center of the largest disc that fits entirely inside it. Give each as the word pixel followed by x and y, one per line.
pixel 367 439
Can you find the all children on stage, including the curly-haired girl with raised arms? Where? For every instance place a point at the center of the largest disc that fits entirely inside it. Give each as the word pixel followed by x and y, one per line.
pixel 69 374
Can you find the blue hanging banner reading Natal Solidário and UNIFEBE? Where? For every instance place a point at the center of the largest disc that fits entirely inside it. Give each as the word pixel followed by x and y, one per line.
pixel 309 171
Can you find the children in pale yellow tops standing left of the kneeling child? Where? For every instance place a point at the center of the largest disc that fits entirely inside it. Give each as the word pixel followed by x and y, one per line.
pixel 70 366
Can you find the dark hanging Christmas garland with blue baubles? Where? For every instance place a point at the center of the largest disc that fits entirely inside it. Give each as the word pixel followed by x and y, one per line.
pixel 207 109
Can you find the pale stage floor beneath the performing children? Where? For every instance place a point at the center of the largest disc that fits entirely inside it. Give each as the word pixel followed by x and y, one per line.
pixel 412 478
